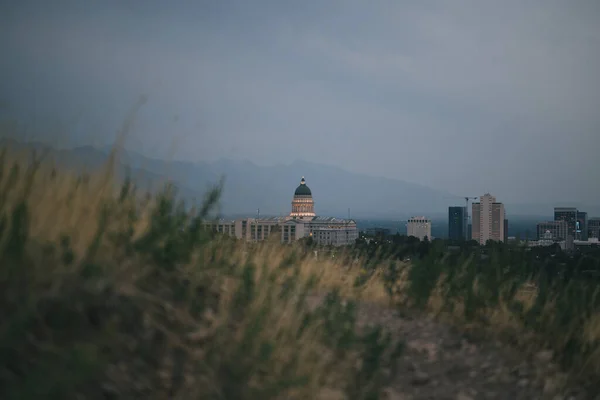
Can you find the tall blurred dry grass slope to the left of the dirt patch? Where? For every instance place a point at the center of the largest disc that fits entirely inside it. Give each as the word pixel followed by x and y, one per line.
pixel 107 293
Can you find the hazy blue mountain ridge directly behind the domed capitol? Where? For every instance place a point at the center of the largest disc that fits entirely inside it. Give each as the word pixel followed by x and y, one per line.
pixel 249 187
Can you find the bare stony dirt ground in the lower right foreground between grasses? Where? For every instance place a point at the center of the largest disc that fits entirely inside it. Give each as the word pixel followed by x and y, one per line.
pixel 441 363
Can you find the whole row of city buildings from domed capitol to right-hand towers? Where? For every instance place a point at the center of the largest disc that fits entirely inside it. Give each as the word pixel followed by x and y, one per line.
pixel 489 222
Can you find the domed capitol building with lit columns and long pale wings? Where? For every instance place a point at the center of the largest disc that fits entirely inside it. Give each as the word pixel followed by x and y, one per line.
pixel 300 223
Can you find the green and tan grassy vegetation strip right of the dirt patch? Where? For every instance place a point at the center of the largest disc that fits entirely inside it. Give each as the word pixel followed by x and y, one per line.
pixel 507 296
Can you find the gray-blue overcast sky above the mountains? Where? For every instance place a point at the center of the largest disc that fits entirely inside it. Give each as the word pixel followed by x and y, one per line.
pixel 467 96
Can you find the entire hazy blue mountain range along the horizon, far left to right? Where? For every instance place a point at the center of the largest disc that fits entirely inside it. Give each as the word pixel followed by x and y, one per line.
pixel 249 187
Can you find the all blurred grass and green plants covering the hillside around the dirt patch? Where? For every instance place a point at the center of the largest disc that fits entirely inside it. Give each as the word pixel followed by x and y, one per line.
pixel 109 293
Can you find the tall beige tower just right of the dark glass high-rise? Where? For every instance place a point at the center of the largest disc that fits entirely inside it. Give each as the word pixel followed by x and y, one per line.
pixel 488 220
